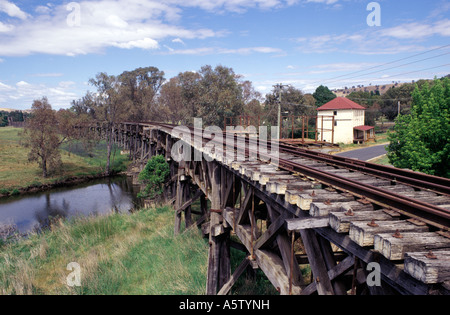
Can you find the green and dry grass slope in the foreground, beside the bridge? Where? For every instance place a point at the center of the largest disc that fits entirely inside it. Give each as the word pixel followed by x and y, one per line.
pixel 119 254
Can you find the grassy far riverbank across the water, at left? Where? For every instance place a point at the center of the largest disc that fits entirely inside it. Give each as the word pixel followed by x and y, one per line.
pixel 18 176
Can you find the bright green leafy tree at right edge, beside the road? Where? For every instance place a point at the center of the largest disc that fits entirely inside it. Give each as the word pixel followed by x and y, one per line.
pixel 421 139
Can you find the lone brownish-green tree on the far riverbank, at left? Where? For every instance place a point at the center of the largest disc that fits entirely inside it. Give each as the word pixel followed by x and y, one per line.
pixel 41 134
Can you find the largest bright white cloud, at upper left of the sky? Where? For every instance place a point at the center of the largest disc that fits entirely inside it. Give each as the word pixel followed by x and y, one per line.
pixel 104 23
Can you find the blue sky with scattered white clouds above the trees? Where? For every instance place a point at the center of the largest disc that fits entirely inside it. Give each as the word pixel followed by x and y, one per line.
pixel 53 48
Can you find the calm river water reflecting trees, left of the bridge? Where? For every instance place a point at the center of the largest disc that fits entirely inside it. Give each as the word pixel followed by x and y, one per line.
pixel 34 211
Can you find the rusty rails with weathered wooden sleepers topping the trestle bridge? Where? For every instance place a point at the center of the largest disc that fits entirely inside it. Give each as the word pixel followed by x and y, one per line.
pixel 401 214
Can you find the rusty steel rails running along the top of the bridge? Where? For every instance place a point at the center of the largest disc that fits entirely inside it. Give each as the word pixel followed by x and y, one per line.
pixel 437 216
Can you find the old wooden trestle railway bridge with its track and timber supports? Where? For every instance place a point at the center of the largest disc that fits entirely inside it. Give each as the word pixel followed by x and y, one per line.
pixel 361 228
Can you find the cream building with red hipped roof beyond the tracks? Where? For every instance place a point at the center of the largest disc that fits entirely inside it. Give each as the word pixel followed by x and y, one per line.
pixel 343 122
